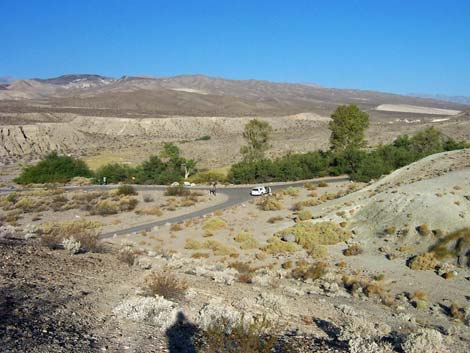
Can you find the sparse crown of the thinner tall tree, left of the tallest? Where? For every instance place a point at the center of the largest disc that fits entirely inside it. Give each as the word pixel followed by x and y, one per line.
pixel 257 134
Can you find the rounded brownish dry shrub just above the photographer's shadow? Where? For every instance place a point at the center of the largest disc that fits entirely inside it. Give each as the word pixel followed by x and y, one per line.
pixel 166 285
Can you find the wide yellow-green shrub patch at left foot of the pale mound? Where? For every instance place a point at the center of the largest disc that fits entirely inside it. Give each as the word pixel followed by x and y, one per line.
pixel 310 235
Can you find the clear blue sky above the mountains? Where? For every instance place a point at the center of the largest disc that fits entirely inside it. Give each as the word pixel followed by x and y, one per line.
pixel 389 45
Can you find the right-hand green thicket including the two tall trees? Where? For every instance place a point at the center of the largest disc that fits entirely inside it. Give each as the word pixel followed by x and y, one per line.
pixel 347 154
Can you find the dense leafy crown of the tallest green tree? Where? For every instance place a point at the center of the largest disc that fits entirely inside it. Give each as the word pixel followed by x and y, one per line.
pixel 347 128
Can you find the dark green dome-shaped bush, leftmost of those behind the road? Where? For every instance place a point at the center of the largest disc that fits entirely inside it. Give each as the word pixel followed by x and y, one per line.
pixel 53 169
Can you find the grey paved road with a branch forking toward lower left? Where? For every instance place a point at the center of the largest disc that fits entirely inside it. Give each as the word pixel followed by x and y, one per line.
pixel 235 196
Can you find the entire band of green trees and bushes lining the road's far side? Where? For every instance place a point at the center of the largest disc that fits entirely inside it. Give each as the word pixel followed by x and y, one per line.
pixel 347 155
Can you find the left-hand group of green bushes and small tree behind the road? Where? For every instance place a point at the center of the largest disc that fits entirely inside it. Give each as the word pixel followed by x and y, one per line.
pixel 166 168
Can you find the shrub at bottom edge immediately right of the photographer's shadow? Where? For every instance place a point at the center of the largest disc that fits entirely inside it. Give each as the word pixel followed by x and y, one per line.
pixel 244 336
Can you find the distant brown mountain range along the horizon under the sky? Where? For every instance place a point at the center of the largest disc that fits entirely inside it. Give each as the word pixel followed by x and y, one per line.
pixel 210 96
